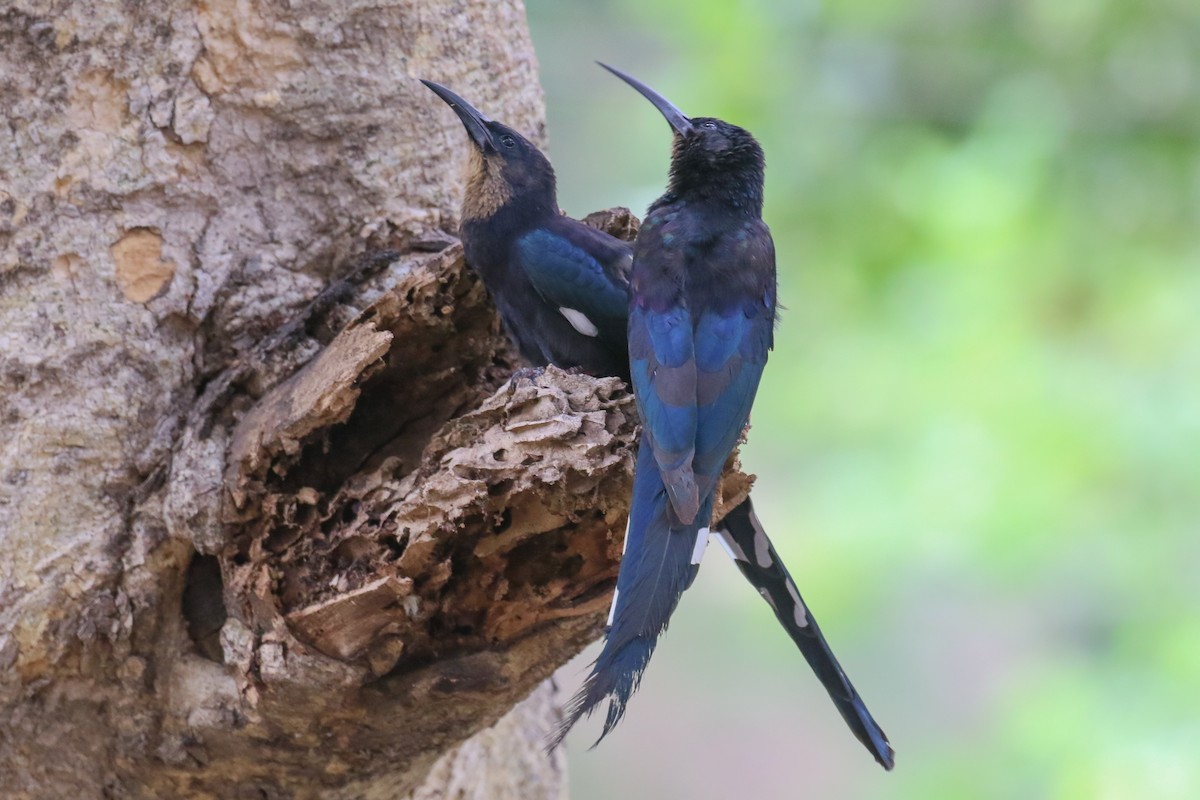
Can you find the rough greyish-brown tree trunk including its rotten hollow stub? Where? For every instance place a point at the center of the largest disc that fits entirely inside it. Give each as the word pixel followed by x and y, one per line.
pixel 272 524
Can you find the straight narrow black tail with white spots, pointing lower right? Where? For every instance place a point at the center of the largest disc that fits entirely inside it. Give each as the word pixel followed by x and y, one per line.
pixel 757 558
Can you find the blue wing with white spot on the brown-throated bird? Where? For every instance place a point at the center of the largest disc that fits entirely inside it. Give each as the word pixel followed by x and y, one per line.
pixel 583 273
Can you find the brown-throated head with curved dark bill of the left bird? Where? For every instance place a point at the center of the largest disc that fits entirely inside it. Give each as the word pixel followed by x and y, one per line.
pixel 506 169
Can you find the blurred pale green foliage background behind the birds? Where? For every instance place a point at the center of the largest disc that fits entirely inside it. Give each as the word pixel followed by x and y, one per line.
pixel 979 435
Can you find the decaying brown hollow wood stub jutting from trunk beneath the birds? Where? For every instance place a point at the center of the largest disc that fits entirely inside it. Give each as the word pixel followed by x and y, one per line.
pixel 373 569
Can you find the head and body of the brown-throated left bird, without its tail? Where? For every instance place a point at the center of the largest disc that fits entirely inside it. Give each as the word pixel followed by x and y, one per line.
pixel 561 287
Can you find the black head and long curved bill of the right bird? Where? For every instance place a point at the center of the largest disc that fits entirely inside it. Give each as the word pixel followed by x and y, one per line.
pixel 709 154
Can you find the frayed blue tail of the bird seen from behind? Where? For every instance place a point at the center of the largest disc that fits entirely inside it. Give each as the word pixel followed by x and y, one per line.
pixel 662 561
